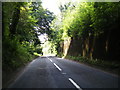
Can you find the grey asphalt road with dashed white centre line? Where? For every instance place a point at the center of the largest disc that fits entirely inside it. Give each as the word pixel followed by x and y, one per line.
pixel 53 72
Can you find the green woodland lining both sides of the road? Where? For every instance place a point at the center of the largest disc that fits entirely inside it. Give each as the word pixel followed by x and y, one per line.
pixel 92 28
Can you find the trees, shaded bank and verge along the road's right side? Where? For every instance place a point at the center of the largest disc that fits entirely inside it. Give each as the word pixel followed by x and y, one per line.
pixel 89 32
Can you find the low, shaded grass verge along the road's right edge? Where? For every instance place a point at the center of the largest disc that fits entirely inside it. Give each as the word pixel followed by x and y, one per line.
pixel 109 66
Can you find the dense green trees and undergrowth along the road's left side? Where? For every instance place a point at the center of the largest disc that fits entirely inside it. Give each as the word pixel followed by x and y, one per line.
pixel 22 23
